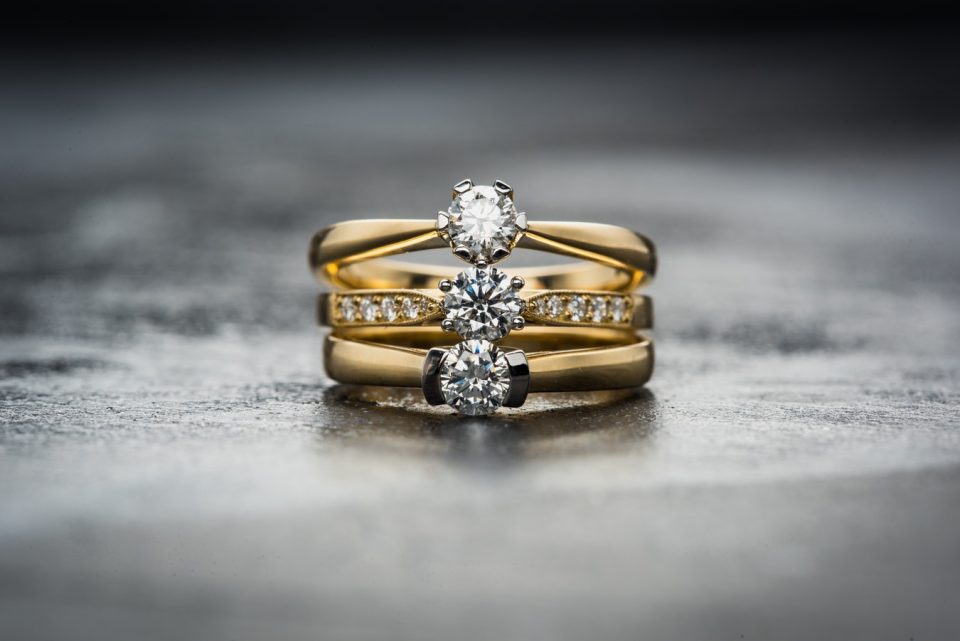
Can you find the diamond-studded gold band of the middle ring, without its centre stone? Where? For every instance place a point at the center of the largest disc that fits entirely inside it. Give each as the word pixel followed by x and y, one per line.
pixel 400 307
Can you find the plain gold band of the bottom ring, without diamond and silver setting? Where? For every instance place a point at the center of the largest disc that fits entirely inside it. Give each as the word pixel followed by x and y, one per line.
pixel 620 362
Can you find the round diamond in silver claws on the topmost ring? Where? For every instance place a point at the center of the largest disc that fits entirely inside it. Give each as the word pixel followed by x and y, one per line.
pixel 485 222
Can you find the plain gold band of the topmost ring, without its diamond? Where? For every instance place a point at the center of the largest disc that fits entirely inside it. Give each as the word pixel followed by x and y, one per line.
pixel 351 255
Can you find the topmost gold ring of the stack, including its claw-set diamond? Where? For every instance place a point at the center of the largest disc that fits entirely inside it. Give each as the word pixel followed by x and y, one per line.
pixel 482 226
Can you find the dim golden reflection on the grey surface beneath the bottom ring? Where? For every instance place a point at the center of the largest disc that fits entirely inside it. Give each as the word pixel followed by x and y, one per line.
pixel 547 425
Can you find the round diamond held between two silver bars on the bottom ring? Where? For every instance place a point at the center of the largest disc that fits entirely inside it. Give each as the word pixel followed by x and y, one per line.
pixel 475 377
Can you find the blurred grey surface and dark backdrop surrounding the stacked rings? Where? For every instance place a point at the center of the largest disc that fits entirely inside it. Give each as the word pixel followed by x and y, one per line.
pixel 174 463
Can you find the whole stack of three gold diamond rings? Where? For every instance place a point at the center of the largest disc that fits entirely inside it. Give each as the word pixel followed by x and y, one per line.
pixel 390 327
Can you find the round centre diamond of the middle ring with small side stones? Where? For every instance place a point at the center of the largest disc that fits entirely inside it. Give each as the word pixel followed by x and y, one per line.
pixel 482 303
